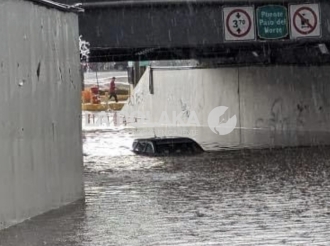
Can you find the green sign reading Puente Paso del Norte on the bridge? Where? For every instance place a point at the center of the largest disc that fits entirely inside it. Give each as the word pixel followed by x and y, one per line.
pixel 272 22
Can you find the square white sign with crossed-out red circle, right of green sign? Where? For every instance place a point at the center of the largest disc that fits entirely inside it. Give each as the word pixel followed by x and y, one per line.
pixel 305 20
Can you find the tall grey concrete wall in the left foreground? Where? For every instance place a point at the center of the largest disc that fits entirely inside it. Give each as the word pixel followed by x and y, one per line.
pixel 40 127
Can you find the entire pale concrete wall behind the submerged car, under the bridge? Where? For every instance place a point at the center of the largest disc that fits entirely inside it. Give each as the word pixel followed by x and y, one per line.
pixel 275 106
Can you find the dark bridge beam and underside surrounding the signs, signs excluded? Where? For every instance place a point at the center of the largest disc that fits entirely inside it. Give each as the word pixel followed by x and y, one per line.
pixel 159 30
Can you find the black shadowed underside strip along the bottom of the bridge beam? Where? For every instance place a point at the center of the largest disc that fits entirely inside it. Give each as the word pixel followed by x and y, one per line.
pixel 303 54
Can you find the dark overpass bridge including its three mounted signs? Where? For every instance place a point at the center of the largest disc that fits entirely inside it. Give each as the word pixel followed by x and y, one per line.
pixel 201 29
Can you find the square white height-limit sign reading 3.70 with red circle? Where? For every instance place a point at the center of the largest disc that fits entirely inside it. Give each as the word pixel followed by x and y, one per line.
pixel 239 23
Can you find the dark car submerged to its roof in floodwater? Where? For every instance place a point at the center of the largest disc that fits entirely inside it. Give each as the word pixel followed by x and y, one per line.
pixel 166 146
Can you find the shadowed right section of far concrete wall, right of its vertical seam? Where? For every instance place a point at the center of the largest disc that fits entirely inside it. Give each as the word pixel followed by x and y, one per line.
pixel 290 105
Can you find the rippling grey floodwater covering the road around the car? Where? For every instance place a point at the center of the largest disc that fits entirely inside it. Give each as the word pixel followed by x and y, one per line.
pixel 247 197
